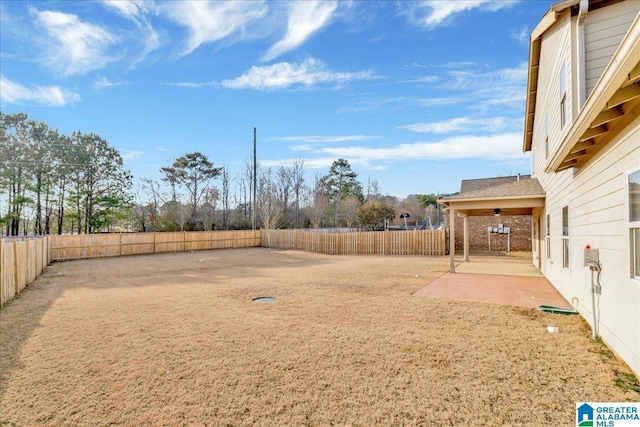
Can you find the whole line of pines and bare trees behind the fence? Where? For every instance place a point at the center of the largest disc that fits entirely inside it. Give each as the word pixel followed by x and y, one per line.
pixel 51 183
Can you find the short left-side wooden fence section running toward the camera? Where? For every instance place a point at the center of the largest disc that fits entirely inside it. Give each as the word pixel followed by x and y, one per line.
pixel 21 262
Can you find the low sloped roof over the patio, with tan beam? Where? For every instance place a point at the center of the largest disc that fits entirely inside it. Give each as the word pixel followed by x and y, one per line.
pixel 512 198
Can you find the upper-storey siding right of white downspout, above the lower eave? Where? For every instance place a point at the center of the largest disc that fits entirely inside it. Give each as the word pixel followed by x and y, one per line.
pixel 604 30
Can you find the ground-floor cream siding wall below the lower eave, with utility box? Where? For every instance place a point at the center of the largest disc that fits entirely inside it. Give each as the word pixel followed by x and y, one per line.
pixel 597 195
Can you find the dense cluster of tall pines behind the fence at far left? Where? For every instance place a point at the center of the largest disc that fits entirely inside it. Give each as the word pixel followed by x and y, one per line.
pixel 55 183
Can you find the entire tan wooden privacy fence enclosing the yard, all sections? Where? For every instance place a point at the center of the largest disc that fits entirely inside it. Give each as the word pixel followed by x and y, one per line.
pixel 23 259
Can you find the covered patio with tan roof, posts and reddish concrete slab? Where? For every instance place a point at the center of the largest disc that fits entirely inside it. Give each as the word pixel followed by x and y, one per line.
pixel 494 279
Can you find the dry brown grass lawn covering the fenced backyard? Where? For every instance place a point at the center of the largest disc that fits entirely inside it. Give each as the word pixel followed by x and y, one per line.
pixel 176 340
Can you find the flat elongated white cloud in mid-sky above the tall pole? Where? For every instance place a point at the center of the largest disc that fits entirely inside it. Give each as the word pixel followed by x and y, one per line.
pixel 283 75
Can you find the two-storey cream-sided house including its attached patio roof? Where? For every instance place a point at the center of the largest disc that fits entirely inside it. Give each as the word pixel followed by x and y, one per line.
pixel 582 128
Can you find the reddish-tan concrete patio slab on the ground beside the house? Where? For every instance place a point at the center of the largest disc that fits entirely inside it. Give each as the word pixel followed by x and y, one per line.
pixel 519 290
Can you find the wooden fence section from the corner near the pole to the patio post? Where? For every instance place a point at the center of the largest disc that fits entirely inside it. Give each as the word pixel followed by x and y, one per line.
pixel 414 242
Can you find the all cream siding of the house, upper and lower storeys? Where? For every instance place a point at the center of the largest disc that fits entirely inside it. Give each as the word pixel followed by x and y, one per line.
pixel 597 194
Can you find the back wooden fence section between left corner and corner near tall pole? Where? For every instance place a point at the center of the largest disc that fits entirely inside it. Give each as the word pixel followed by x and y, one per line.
pixel 85 246
